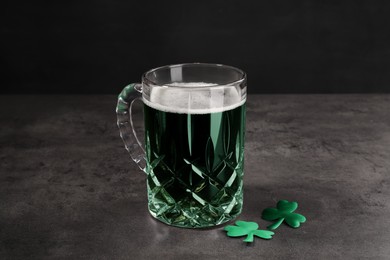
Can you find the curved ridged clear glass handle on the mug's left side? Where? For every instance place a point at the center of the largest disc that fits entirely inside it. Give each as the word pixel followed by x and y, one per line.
pixel 126 99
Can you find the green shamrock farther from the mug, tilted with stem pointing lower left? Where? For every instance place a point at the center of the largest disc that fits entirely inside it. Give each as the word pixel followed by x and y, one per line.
pixel 283 212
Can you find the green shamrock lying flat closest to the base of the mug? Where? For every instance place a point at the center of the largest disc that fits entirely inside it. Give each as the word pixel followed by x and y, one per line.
pixel 248 229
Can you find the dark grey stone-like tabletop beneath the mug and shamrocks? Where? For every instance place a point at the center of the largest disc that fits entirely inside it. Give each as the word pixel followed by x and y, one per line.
pixel 68 189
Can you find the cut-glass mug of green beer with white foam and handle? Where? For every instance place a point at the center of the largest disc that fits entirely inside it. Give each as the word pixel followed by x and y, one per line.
pixel 193 155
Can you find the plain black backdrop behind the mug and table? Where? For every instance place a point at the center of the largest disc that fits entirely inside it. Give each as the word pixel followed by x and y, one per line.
pixel 285 46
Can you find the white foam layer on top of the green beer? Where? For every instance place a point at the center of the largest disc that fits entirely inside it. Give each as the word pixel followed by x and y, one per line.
pixel 206 98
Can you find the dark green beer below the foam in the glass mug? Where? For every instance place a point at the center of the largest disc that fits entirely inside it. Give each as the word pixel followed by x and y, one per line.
pixel 195 166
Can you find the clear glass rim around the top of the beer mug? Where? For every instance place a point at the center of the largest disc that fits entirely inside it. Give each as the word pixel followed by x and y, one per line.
pixel 148 81
